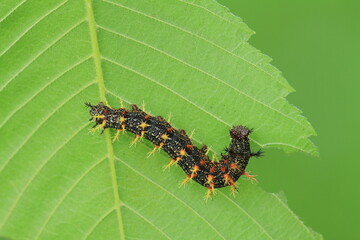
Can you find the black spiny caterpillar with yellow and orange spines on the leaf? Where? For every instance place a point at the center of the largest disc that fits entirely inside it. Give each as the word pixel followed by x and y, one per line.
pixel 175 142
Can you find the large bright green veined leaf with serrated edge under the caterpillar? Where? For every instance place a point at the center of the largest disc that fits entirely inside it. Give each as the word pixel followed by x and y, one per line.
pixel 187 58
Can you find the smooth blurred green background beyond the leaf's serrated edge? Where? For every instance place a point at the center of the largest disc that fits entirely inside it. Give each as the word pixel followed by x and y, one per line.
pixel 316 46
